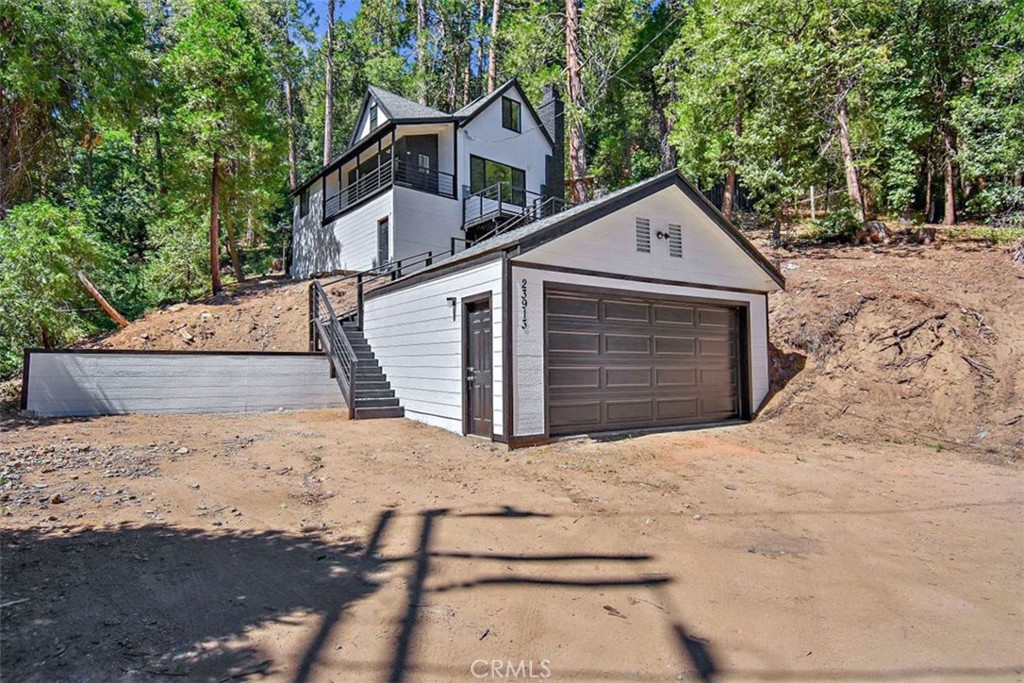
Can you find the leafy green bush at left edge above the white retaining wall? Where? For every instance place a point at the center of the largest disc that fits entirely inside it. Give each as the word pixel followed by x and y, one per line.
pixel 42 248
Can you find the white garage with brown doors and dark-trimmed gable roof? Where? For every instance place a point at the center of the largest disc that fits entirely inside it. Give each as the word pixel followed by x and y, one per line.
pixel 643 310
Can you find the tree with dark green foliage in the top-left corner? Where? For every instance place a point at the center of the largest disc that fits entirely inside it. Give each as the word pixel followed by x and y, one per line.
pixel 60 74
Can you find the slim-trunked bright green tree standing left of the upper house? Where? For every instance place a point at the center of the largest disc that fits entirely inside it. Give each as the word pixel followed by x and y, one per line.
pixel 223 82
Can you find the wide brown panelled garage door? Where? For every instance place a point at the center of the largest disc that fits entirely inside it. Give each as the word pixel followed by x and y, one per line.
pixel 618 361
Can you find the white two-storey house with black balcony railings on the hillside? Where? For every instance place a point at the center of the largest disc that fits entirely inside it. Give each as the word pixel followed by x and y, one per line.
pixel 414 178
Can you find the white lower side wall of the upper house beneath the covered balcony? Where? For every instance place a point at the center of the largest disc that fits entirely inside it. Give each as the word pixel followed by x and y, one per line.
pixel 348 244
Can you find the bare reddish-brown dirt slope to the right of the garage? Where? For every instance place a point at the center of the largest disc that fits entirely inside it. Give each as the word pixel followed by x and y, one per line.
pixel 902 344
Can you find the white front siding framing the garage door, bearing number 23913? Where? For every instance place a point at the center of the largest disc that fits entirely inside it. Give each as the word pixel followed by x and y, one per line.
pixel 528 341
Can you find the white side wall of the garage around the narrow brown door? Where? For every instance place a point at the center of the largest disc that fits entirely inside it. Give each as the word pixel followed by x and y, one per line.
pixel 419 346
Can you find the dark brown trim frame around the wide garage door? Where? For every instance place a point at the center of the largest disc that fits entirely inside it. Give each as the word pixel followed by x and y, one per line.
pixel 743 339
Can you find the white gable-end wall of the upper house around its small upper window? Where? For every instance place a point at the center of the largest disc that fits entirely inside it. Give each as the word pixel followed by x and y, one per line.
pixel 485 137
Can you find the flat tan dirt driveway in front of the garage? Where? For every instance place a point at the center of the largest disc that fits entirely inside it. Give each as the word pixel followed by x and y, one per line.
pixel 303 547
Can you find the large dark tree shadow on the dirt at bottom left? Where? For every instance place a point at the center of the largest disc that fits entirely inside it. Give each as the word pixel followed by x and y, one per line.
pixel 139 603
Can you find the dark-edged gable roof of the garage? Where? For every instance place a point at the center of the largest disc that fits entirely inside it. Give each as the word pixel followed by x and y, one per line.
pixel 552 228
